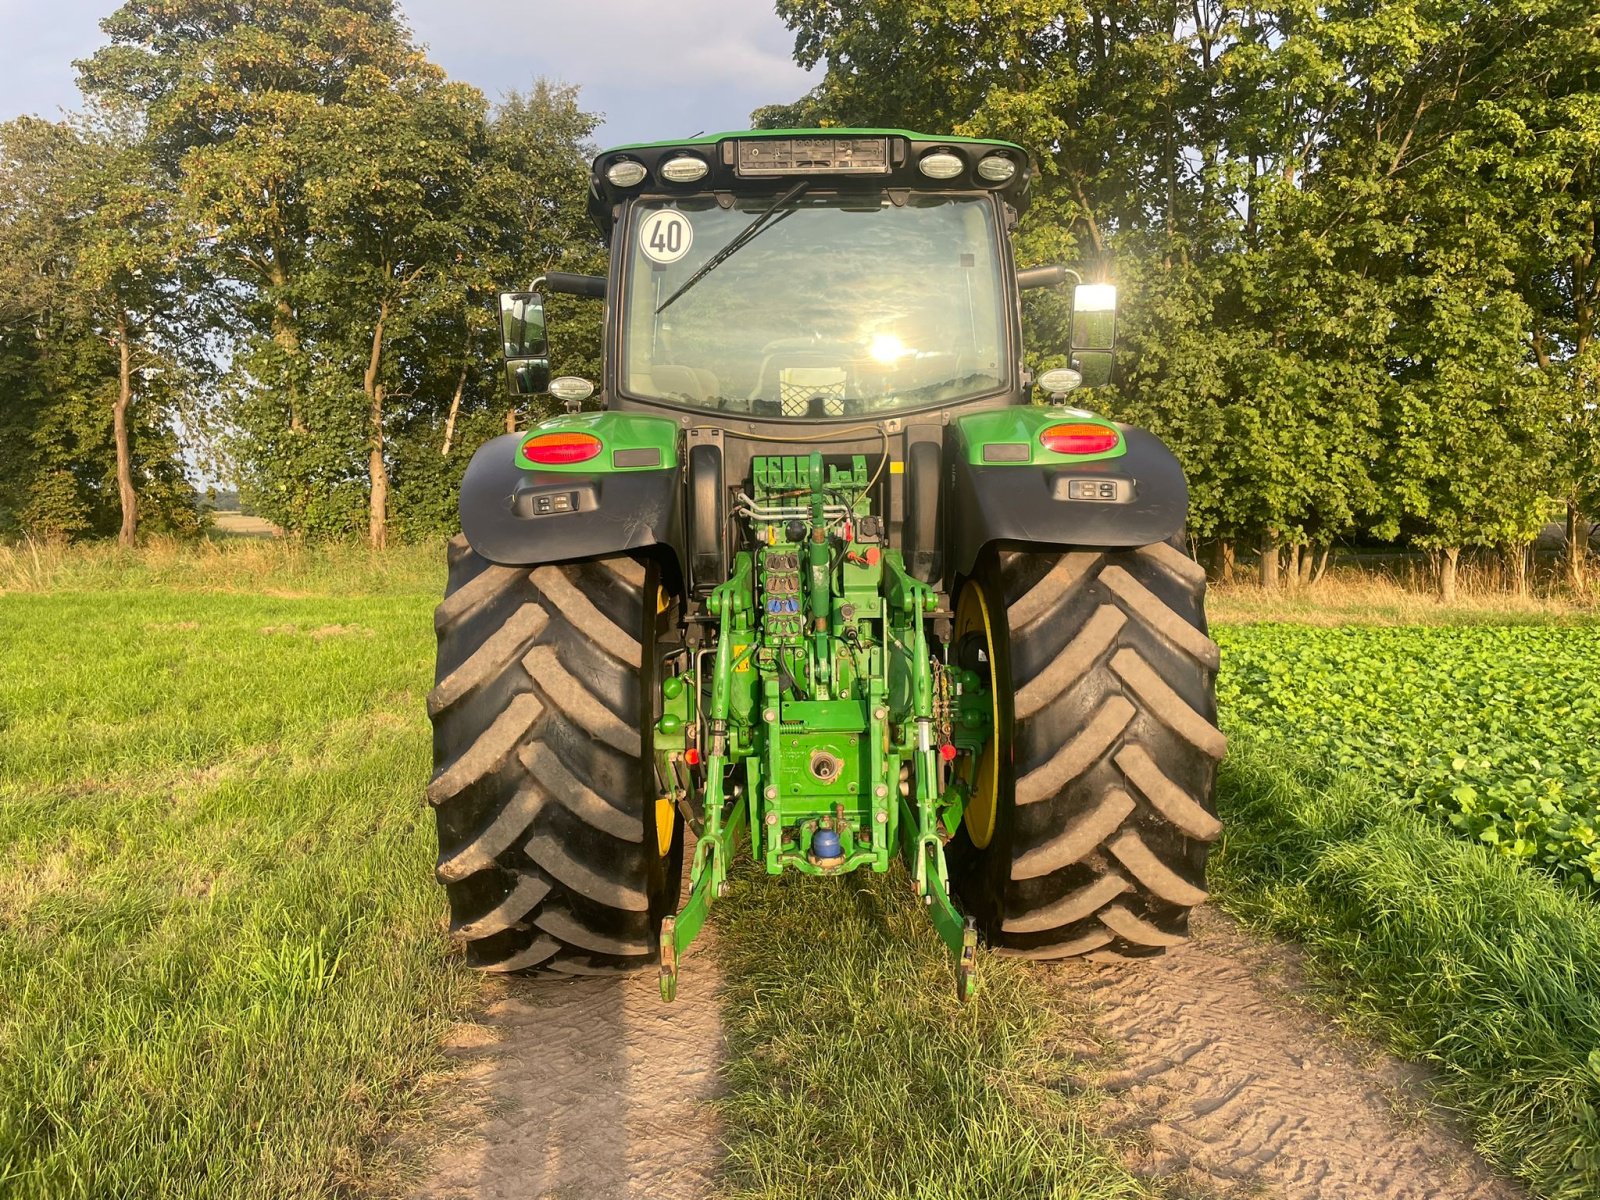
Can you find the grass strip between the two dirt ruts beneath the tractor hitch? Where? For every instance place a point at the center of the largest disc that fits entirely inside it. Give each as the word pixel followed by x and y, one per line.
pixel 855 1074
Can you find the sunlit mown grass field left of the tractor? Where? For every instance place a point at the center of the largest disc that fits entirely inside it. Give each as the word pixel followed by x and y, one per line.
pixel 222 964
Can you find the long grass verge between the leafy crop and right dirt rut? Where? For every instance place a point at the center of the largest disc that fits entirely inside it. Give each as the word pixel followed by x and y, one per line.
pixel 1447 953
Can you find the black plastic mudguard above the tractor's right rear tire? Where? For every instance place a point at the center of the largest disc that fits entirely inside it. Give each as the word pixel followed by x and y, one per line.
pixel 1030 503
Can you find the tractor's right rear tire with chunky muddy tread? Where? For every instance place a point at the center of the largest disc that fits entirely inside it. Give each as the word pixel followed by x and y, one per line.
pixel 1105 754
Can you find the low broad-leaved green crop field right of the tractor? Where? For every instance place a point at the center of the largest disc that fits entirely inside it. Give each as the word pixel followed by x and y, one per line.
pixel 1490 729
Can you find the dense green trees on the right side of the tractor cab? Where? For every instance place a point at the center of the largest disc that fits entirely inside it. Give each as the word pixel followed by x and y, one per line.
pixel 1356 241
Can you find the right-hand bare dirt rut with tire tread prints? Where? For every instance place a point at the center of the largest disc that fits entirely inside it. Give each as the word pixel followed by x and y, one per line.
pixel 1230 1084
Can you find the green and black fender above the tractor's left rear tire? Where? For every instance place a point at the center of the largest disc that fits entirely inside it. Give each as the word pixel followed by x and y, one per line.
pixel 516 513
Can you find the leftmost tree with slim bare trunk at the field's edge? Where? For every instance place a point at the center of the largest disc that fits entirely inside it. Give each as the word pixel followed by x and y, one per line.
pixel 89 265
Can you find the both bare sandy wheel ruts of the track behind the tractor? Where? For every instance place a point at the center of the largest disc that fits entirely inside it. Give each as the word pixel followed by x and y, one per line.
pixel 1223 1084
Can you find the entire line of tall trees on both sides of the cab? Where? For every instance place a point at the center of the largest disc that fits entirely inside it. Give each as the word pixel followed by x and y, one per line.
pixel 1356 246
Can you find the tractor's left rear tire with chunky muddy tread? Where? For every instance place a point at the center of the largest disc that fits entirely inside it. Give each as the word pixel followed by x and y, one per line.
pixel 551 844
